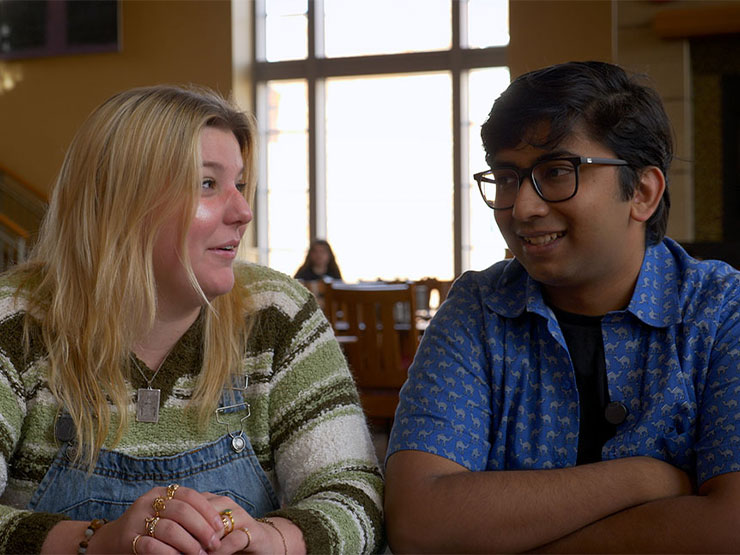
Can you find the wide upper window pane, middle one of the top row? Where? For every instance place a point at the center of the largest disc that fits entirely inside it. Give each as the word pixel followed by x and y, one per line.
pixel 365 27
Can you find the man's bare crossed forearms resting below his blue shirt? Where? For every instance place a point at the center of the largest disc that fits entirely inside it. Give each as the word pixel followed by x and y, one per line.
pixel 636 504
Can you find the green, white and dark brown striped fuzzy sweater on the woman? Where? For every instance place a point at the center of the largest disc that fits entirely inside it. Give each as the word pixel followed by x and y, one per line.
pixel 306 425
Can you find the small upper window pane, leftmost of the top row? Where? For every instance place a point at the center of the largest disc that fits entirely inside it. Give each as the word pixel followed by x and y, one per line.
pixel 286 30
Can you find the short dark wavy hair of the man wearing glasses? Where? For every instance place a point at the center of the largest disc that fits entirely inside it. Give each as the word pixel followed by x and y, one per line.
pixel 613 107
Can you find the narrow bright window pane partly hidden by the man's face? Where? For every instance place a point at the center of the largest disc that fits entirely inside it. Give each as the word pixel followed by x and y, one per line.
pixel 487 244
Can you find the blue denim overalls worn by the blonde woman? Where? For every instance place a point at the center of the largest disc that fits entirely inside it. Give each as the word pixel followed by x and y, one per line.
pixel 118 480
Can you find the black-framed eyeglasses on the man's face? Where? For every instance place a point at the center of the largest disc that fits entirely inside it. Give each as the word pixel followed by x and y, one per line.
pixel 554 180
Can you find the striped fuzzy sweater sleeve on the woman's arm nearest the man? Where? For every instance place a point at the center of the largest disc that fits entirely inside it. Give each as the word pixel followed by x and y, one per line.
pixel 324 459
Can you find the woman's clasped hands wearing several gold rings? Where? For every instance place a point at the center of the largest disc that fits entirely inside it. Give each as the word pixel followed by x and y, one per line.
pixel 182 520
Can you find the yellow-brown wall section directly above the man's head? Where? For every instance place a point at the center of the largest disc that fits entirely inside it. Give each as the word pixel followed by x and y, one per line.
pixel 545 32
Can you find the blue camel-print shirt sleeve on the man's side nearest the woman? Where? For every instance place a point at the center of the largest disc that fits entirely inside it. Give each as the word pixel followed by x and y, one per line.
pixel 445 405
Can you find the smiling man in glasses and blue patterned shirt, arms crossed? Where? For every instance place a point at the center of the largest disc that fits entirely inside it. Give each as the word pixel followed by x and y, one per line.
pixel 582 397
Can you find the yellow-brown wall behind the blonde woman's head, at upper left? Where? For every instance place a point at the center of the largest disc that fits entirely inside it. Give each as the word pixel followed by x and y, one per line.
pixel 163 42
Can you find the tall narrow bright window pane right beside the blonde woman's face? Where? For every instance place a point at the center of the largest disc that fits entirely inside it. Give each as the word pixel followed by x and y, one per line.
pixel 286 148
